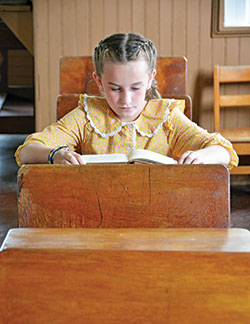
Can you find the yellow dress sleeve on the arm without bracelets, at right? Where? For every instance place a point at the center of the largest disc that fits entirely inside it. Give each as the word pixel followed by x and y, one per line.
pixel 185 135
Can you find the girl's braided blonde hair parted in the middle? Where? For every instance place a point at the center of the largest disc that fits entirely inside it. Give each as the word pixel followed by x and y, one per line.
pixel 123 48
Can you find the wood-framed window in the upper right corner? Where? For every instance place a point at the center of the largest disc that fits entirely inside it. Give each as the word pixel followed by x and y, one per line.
pixel 231 18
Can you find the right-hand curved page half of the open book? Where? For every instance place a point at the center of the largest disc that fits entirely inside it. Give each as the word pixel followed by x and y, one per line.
pixel 146 156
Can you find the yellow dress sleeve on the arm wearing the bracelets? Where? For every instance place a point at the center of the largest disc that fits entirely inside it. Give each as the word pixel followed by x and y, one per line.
pixel 68 130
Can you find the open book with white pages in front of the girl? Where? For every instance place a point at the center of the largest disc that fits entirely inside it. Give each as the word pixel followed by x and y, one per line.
pixel 136 156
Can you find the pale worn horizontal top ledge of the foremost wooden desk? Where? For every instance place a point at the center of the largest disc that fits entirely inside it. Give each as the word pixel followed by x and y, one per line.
pixel 211 240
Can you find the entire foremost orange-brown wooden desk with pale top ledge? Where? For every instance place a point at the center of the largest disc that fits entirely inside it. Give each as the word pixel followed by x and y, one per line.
pixel 121 276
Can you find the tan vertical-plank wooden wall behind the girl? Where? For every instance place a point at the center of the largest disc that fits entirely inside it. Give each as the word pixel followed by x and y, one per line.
pixel 178 27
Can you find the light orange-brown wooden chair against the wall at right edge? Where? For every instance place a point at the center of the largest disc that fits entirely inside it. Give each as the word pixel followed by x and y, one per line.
pixel 240 137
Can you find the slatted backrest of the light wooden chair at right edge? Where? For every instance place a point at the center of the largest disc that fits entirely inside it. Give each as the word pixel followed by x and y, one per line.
pixel 229 74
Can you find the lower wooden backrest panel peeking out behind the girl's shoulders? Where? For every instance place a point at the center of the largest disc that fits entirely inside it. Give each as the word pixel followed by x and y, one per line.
pixel 67 102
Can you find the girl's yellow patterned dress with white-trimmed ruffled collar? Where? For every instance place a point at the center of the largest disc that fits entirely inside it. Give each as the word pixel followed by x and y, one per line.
pixel 93 128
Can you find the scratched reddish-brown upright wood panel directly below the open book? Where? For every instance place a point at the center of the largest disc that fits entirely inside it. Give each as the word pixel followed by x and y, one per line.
pixel 125 196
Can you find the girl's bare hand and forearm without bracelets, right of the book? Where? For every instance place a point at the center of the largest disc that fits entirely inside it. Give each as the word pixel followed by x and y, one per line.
pixel 214 154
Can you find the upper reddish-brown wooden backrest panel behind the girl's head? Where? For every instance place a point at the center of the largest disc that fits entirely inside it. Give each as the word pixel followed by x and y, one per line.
pixel 76 75
